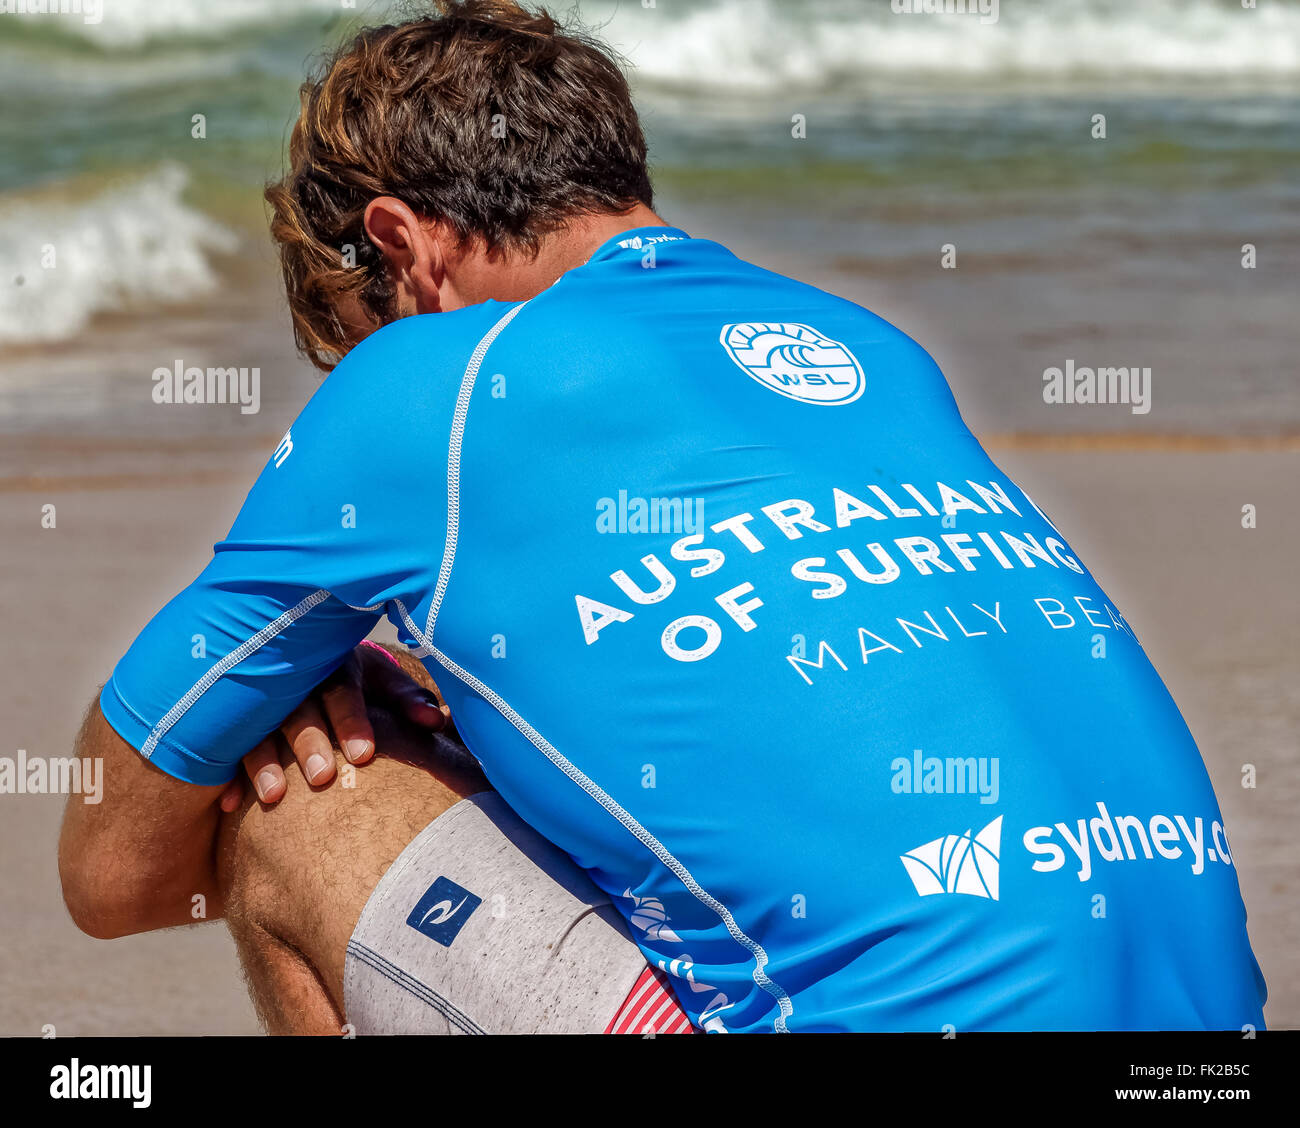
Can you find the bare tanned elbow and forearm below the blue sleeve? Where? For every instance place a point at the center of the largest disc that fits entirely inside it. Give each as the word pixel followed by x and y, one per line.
pixel 135 861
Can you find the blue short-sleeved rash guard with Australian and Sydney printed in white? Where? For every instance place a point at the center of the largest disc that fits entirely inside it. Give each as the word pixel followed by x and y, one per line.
pixel 734 609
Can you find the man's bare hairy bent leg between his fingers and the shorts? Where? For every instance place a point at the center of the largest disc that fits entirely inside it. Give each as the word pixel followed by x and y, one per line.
pixel 297 877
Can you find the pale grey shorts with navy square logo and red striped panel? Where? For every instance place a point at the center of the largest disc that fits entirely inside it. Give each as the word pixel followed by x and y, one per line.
pixel 484 927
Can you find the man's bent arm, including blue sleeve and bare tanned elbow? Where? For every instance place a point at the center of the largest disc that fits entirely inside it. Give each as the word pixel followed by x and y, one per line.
pixel 324 544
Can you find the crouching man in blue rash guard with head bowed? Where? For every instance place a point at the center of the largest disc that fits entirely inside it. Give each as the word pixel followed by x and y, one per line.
pixel 725 600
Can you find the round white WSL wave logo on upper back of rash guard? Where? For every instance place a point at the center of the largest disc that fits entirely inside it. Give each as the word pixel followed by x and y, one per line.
pixel 796 362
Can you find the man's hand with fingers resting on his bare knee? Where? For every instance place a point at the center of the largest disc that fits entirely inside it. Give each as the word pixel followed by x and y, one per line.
pixel 337 706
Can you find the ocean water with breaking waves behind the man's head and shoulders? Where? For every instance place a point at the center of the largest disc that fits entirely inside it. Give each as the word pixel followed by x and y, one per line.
pixel 917 131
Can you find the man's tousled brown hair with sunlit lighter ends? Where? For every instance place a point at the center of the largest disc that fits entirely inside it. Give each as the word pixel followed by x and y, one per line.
pixel 484 116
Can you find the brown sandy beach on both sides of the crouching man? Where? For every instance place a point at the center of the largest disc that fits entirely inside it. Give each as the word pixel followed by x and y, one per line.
pixel 1212 604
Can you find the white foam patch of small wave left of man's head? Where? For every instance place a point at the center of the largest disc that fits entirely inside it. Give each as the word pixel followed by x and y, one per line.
pixel 124 248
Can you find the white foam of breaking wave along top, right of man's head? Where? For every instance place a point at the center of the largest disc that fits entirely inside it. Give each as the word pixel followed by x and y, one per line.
pixel 760 45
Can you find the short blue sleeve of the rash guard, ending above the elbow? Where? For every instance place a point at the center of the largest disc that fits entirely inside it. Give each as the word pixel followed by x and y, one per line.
pixel 330 535
